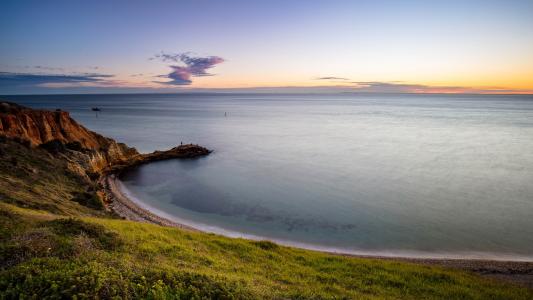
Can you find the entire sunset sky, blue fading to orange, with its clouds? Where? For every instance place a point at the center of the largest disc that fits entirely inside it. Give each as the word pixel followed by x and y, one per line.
pixel 171 46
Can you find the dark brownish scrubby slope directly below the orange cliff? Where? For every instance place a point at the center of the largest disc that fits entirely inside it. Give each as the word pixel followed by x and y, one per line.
pixel 35 178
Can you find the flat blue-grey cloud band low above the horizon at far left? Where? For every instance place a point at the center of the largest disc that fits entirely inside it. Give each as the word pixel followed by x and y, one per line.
pixel 9 79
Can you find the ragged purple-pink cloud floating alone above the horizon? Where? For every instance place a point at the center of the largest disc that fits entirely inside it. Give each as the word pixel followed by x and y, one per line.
pixel 191 67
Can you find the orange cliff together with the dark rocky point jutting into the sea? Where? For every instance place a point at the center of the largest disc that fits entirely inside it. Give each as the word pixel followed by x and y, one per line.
pixel 87 152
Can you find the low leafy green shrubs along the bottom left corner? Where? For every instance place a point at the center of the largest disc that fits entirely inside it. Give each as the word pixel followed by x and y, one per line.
pixel 53 278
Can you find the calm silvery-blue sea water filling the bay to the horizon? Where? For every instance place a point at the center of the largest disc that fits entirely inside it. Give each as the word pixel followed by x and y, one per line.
pixel 383 174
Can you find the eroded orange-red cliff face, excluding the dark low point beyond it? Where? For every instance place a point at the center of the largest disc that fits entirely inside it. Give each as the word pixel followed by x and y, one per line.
pixel 93 152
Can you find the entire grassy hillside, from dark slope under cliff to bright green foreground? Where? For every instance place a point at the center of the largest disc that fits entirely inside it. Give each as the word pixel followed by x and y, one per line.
pixel 55 245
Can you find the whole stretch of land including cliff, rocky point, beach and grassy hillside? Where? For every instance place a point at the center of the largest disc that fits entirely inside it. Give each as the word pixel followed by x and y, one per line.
pixel 55 214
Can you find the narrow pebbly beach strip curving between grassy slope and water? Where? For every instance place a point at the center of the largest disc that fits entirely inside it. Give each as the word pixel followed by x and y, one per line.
pixel 518 272
